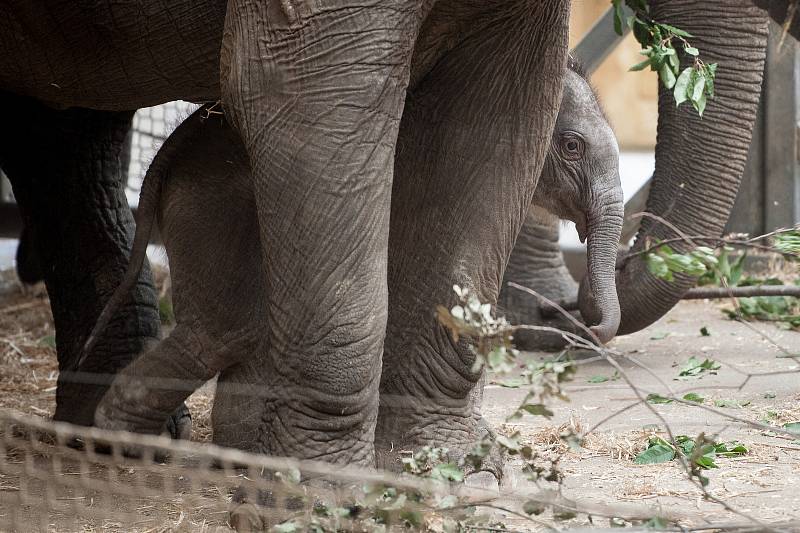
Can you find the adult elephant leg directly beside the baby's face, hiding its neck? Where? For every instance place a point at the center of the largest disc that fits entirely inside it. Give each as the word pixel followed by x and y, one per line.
pixel 472 143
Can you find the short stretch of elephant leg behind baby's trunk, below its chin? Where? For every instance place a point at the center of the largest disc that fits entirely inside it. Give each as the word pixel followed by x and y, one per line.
pixel 537 263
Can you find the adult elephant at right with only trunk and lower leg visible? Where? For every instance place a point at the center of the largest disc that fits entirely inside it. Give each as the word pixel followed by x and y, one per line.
pixel 699 163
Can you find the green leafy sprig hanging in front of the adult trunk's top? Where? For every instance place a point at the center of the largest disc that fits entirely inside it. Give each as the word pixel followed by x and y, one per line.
pixel 694 83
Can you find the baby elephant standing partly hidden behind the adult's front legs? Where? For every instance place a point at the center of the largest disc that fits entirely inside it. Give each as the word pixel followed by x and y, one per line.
pixel 199 187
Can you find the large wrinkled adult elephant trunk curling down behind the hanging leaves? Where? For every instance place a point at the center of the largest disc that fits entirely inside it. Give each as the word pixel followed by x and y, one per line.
pixel 699 162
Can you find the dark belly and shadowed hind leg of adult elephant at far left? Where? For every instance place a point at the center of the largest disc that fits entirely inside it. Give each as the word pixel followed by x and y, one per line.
pixel 71 77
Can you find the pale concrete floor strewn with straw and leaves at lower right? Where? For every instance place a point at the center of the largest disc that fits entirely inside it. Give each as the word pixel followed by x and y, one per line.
pixel 764 483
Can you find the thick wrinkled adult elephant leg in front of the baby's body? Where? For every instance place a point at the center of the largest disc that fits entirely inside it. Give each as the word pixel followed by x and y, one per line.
pixel 316 91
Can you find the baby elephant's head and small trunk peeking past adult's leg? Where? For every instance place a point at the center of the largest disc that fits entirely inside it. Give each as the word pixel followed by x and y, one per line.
pixel 580 182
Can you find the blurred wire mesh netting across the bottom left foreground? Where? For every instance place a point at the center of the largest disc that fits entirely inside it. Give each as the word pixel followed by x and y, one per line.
pixel 59 477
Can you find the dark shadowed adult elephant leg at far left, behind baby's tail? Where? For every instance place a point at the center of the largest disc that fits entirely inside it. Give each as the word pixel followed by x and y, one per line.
pixel 66 172
